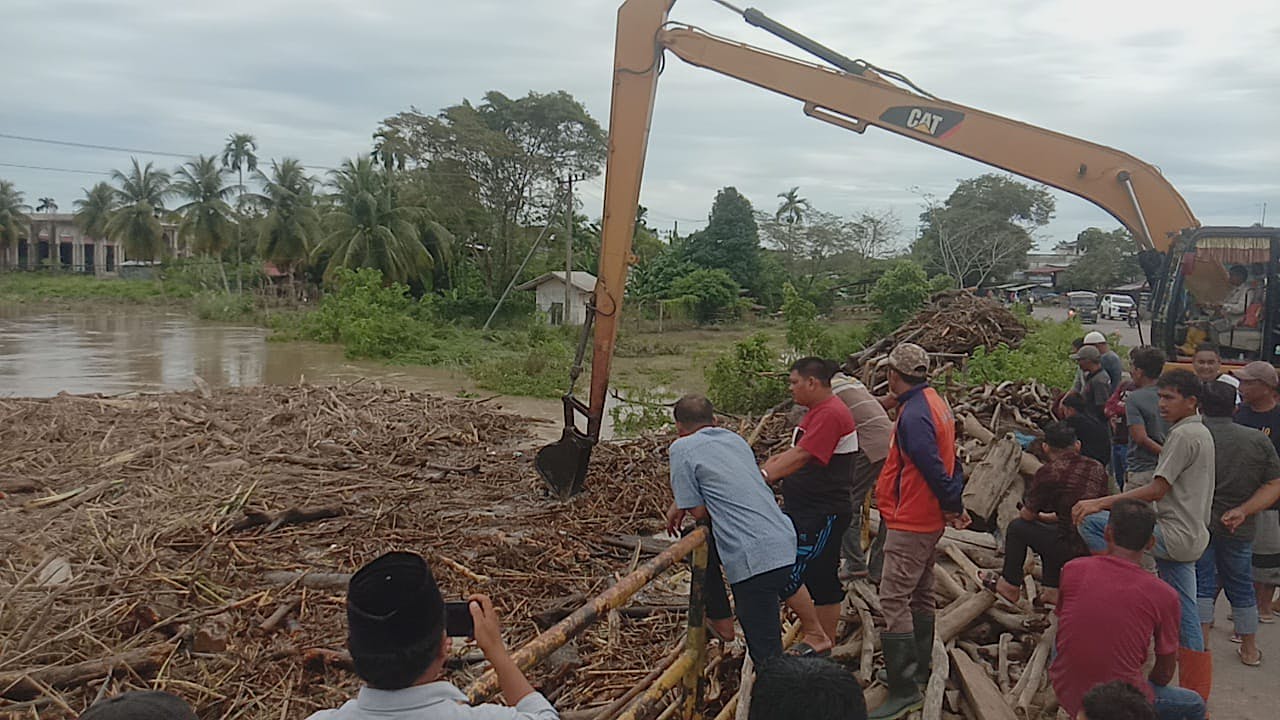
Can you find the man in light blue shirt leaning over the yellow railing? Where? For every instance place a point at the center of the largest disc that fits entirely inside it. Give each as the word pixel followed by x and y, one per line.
pixel 714 475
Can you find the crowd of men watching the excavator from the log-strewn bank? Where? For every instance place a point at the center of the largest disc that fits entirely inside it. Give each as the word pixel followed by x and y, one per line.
pixel 1197 480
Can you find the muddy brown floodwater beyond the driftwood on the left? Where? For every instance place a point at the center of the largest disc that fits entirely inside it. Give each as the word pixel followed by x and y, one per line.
pixel 127 349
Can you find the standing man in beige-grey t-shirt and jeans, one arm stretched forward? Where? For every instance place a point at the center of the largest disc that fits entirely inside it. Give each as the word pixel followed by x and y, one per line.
pixel 1183 493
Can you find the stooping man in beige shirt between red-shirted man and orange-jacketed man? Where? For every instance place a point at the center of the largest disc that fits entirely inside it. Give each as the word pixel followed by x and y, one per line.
pixel 874 430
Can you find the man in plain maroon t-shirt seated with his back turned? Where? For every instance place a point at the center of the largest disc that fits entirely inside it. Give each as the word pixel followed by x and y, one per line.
pixel 1100 640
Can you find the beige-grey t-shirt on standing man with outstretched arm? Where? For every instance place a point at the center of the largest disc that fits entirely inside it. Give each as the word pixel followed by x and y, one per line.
pixel 1188 464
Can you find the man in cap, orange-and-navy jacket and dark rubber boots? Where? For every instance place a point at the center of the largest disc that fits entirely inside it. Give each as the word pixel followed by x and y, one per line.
pixel 918 494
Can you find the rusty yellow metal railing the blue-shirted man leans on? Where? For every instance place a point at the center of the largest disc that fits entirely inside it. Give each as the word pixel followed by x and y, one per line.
pixel 687 671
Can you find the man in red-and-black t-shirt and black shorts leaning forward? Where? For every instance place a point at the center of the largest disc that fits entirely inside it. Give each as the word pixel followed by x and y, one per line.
pixel 817 476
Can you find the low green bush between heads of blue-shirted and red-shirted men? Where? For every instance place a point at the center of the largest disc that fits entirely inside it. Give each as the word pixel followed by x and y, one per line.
pixel 747 380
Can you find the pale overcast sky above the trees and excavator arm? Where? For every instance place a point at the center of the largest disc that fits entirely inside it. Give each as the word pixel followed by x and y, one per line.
pixel 1190 86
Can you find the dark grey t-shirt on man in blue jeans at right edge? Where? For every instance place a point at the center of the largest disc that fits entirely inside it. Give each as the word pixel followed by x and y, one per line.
pixel 1246 461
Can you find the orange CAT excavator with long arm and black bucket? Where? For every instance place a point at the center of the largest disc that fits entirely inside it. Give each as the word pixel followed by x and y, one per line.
pixel 1194 271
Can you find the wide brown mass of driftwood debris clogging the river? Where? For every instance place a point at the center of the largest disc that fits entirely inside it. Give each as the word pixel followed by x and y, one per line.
pixel 202 543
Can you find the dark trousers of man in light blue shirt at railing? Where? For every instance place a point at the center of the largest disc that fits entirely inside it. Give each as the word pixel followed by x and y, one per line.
pixel 757 601
